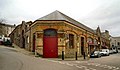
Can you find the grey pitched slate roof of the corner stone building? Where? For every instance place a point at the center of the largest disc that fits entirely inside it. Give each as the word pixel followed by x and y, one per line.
pixel 56 15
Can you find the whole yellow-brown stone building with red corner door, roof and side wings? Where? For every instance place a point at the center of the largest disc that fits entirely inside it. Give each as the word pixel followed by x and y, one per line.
pixel 56 32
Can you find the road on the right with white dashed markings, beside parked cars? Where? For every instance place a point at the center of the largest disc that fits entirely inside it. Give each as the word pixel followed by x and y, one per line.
pixel 111 62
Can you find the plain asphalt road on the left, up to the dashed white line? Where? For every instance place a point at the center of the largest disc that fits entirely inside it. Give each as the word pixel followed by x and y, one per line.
pixel 10 59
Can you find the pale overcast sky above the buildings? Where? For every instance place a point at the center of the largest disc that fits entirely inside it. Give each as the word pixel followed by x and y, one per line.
pixel 92 13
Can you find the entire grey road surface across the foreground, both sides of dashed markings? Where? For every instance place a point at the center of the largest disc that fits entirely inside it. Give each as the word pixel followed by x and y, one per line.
pixel 11 59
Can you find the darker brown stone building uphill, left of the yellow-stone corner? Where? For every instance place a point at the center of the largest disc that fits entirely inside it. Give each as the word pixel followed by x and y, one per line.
pixel 18 34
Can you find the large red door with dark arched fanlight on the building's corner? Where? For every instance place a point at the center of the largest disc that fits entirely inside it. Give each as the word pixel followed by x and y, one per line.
pixel 50 43
